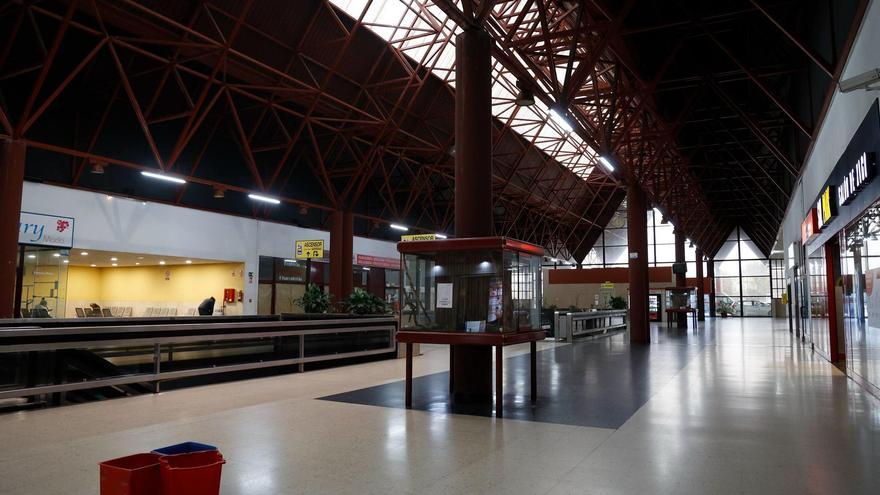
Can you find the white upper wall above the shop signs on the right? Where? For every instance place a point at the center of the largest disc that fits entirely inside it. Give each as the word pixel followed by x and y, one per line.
pixel 843 118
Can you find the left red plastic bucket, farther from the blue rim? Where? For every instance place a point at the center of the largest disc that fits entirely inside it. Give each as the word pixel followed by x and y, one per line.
pixel 137 474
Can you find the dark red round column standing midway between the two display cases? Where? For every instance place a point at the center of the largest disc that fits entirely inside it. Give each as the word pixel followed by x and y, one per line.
pixel 637 239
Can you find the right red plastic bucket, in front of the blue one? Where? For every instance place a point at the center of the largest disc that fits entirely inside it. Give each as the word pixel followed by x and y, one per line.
pixel 197 473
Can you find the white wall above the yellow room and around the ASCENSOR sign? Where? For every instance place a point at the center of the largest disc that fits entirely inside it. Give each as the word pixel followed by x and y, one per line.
pixel 150 228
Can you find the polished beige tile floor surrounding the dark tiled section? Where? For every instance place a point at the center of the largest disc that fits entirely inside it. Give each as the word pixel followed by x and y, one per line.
pixel 746 410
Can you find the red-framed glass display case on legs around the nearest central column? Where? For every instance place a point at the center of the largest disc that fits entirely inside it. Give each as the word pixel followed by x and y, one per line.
pixel 471 294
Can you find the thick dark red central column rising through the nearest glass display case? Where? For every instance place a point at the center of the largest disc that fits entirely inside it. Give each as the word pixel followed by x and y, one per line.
pixel 472 365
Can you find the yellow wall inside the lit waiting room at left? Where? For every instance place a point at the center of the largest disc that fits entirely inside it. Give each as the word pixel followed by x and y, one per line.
pixel 141 287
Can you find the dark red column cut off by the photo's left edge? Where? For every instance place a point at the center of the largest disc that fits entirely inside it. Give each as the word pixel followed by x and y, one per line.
pixel 12 153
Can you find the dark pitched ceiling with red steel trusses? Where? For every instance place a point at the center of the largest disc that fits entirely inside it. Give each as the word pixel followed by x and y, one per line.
pixel 709 106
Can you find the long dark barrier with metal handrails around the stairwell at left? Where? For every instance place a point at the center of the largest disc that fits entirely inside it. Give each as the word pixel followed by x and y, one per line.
pixel 145 354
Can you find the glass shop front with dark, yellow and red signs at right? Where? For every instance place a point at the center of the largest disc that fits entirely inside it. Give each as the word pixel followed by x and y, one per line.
pixel 842 259
